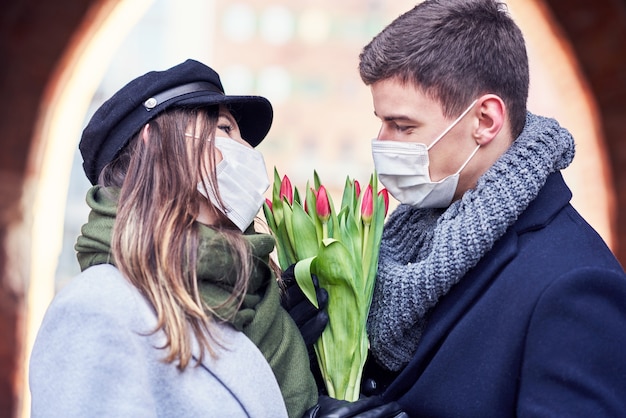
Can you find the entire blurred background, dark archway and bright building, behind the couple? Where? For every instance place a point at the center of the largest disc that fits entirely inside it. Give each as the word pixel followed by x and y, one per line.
pixel 61 60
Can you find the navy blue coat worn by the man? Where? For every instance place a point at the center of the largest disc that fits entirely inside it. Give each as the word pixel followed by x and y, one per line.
pixel 537 328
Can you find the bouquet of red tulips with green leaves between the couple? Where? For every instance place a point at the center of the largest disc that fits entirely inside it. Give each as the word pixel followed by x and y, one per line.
pixel 341 249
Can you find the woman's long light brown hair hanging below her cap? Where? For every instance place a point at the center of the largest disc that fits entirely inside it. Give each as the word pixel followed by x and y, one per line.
pixel 155 238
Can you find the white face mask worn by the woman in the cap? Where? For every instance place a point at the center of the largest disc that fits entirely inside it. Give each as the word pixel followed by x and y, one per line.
pixel 242 181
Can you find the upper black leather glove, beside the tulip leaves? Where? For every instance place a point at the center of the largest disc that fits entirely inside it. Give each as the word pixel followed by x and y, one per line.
pixel 310 320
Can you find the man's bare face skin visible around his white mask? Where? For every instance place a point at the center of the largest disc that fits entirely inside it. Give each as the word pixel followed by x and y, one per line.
pixel 409 115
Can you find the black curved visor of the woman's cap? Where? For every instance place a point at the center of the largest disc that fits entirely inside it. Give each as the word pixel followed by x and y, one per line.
pixel 253 114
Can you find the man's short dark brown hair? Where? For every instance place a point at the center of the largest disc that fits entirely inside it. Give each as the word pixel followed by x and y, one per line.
pixel 454 51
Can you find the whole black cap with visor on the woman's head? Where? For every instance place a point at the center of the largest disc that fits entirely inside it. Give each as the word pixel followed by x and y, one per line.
pixel 188 84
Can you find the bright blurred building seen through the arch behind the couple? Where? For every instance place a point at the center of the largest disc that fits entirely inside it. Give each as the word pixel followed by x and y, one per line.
pixel 303 56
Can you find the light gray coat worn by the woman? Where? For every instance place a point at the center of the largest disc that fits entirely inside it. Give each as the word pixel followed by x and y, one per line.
pixel 94 356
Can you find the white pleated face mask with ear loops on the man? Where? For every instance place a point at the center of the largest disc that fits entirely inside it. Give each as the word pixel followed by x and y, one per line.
pixel 403 168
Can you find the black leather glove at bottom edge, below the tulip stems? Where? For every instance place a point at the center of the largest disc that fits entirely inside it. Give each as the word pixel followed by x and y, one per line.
pixel 372 407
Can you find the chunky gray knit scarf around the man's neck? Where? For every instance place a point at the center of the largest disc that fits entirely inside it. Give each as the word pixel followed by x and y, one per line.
pixel 424 252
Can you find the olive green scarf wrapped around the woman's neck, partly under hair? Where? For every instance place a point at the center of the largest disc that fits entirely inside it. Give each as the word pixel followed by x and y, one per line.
pixel 260 317
